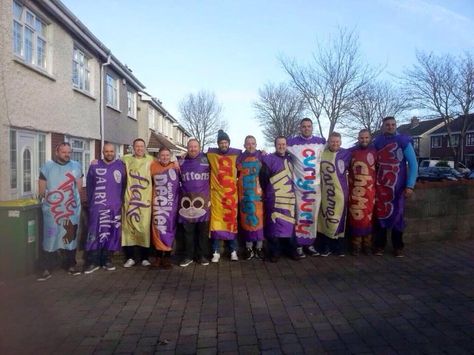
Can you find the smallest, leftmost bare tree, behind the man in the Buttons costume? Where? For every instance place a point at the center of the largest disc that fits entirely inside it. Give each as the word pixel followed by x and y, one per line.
pixel 202 116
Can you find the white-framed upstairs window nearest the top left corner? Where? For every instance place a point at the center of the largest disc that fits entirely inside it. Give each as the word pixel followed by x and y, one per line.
pixel 29 22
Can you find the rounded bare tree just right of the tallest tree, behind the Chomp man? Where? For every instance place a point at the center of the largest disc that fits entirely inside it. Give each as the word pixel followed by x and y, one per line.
pixel 372 103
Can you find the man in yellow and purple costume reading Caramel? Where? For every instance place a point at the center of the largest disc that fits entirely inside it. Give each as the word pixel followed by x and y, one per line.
pixel 334 195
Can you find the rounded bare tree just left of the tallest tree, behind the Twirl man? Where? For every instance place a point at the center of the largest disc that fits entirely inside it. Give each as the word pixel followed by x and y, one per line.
pixel 279 110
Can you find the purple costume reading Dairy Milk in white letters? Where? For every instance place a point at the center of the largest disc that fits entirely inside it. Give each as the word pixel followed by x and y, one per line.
pixel 105 183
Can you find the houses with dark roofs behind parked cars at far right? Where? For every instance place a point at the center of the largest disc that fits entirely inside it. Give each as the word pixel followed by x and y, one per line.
pixel 430 139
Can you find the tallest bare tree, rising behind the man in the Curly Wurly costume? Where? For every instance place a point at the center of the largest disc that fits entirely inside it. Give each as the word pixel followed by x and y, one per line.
pixel 330 82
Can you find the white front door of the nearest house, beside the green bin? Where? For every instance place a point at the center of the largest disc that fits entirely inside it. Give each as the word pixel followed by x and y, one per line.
pixel 28 172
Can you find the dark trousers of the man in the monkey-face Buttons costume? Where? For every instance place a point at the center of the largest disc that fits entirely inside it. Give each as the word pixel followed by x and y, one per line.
pixel 196 239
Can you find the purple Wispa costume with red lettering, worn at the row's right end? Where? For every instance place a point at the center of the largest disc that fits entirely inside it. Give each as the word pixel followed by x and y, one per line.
pixel 391 180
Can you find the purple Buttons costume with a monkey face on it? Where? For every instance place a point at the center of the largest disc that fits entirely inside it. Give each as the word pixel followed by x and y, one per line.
pixel 195 202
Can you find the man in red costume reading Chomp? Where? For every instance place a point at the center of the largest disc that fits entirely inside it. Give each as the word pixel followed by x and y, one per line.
pixel 362 176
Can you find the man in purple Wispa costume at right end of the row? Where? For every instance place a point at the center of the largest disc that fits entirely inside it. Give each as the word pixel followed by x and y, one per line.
pixel 394 183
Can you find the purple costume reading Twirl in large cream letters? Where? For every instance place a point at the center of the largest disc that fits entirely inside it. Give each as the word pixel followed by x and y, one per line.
pixel 279 196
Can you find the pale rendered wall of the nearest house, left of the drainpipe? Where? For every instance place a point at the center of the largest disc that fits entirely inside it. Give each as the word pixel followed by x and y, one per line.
pixel 43 101
